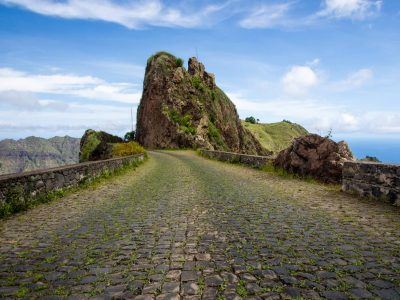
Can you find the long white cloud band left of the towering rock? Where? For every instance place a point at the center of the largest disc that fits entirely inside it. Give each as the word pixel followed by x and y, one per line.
pixel 65 84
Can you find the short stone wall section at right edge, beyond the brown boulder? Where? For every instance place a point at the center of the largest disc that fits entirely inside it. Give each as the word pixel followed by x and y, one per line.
pixel 374 180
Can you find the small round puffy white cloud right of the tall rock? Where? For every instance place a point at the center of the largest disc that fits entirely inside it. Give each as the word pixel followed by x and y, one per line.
pixel 299 79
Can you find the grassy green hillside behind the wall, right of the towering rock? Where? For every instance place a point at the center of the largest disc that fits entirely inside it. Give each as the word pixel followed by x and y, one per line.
pixel 275 136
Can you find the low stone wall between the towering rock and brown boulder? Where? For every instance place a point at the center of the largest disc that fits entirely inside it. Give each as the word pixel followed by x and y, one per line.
pixel 251 160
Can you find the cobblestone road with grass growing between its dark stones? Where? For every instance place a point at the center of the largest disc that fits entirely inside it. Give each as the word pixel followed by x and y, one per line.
pixel 181 226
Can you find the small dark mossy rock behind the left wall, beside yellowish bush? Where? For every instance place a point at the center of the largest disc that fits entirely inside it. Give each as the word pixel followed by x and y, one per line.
pixel 97 145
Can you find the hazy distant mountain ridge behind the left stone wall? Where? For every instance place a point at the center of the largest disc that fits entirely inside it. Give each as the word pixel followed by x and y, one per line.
pixel 37 153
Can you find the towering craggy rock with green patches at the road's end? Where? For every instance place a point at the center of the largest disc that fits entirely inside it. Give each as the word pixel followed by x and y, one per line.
pixel 185 109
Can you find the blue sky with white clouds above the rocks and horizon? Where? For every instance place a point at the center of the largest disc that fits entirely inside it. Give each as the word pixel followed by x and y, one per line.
pixel 66 66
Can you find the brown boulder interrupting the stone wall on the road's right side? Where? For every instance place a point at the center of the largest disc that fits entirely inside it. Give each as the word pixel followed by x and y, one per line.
pixel 315 156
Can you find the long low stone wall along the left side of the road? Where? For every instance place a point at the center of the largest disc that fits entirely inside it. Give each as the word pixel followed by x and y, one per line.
pixel 18 190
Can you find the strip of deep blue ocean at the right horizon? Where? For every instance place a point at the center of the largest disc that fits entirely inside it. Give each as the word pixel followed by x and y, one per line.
pixel 386 150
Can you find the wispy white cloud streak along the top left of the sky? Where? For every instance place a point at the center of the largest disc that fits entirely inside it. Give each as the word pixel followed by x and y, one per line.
pixel 130 13
